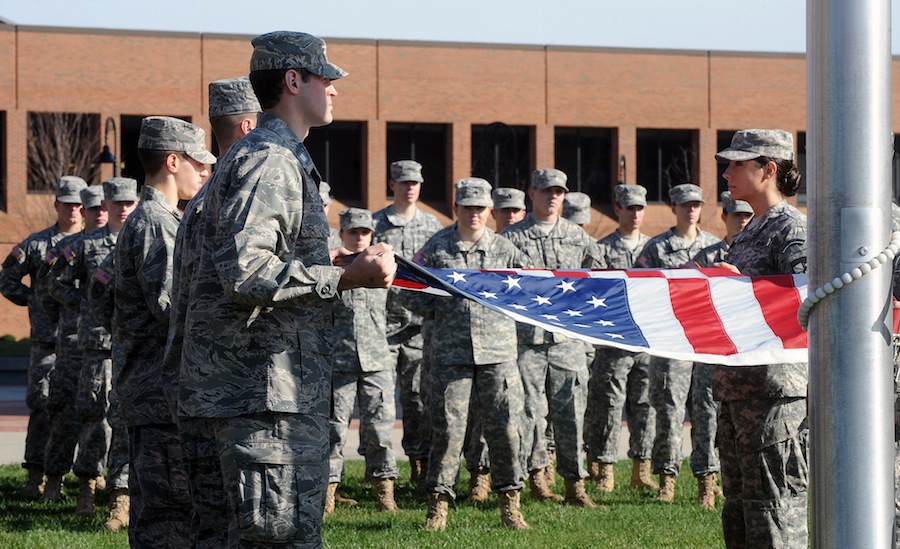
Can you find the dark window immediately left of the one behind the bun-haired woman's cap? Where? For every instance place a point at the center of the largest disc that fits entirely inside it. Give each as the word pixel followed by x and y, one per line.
pixel 665 158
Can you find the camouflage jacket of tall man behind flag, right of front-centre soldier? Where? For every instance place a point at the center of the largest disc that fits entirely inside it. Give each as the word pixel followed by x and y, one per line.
pixel 566 246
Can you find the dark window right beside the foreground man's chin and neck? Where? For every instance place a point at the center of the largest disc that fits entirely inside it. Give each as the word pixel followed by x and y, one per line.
pixel 337 150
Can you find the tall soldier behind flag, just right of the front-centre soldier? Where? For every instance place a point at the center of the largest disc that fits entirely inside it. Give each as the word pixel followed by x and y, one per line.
pixel 552 366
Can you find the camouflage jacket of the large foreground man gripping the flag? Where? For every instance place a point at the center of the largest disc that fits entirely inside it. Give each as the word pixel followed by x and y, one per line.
pixel 259 315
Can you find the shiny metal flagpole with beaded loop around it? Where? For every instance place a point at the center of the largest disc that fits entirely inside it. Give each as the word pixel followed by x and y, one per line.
pixel 849 148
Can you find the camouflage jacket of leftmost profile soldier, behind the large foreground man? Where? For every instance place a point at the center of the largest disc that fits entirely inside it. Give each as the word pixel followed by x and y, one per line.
pixel 143 254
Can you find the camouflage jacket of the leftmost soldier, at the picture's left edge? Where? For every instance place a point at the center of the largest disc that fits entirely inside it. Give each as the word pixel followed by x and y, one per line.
pixel 27 258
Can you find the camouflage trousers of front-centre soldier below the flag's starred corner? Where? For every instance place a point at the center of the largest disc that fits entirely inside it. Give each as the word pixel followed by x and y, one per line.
pixel 498 398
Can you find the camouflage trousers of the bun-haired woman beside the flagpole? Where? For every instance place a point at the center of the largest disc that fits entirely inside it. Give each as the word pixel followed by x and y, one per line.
pixel 763 445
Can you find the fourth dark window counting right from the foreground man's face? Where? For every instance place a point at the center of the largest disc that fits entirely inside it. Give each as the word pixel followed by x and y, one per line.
pixel 585 154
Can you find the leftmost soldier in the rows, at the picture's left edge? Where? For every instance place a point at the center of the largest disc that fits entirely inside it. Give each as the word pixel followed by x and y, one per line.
pixel 27 258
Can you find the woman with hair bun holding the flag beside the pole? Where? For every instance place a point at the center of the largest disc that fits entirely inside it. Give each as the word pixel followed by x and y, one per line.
pixel 762 433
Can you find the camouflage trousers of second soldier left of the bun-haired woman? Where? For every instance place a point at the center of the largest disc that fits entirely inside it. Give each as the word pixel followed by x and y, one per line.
pixel 670 383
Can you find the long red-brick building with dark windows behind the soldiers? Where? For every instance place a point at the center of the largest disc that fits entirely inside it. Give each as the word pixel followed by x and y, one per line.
pixel 656 117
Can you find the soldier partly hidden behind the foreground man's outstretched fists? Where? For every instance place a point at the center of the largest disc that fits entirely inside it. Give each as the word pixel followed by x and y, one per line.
pixel 362 369
